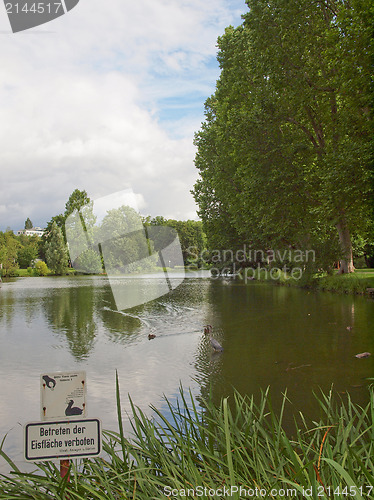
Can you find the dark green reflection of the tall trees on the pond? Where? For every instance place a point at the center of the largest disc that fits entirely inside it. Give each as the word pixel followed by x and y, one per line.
pixel 289 339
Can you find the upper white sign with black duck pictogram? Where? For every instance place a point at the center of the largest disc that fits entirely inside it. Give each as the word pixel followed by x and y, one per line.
pixel 63 395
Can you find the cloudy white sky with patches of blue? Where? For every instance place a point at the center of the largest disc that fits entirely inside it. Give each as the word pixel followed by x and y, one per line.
pixel 106 98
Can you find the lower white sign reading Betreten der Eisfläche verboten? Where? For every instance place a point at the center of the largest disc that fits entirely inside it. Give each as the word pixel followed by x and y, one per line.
pixel 62 440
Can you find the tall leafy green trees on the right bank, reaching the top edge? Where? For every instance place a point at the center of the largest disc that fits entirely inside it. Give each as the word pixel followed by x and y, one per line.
pixel 285 149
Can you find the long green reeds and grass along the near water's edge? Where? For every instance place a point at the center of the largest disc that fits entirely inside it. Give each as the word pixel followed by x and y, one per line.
pixel 231 446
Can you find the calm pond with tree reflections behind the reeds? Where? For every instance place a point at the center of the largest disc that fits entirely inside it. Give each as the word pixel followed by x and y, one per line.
pixel 275 336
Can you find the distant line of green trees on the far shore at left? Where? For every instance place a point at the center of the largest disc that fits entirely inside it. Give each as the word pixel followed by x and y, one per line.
pixel 49 253
